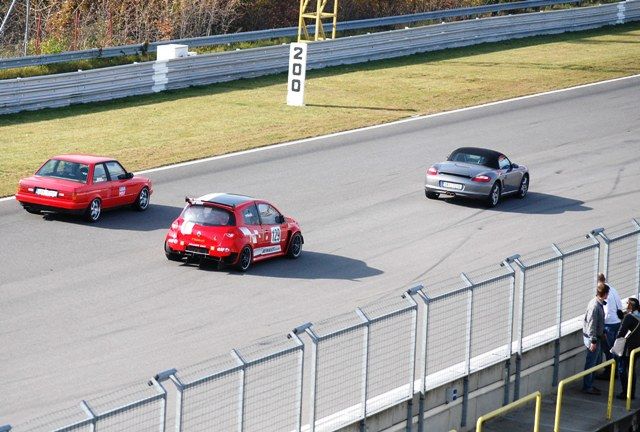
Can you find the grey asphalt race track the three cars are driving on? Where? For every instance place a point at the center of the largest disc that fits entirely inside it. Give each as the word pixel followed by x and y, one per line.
pixel 87 308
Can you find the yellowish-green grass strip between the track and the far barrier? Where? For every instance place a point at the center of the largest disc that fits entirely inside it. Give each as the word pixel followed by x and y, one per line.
pixel 169 127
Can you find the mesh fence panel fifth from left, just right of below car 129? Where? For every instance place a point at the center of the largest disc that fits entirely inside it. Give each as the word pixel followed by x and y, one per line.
pixel 339 372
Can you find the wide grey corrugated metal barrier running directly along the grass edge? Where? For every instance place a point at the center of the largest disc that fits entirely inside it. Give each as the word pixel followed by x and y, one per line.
pixel 129 80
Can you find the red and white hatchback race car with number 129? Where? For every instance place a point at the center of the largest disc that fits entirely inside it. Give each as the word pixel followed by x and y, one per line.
pixel 232 229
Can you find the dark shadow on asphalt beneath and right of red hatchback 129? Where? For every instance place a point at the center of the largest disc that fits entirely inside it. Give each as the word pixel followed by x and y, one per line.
pixel 310 265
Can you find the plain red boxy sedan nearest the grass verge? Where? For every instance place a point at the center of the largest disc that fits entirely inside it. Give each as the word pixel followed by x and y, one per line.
pixel 84 185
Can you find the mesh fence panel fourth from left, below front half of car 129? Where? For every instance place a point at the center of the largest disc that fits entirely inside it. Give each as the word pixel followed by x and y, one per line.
pixel 272 385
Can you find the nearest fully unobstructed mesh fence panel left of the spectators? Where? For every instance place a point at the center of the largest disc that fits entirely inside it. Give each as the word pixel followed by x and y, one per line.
pixel 539 317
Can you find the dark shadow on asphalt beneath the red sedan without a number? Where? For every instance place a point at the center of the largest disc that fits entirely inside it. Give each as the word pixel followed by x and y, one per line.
pixel 157 216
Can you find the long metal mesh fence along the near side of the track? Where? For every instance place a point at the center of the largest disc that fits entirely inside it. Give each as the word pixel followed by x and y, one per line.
pixel 364 362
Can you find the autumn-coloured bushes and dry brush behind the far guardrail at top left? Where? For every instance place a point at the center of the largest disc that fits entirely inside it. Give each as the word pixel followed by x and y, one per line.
pixel 63 25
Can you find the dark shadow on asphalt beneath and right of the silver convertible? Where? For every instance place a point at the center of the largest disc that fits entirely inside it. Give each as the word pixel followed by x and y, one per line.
pixel 534 203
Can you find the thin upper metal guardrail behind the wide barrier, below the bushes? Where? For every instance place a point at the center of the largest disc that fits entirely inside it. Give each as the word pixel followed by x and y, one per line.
pixel 252 36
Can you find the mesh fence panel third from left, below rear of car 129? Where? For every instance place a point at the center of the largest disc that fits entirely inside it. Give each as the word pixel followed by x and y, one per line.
pixel 213 403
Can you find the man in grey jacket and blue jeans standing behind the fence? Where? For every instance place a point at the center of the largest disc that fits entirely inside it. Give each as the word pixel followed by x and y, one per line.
pixel 593 332
